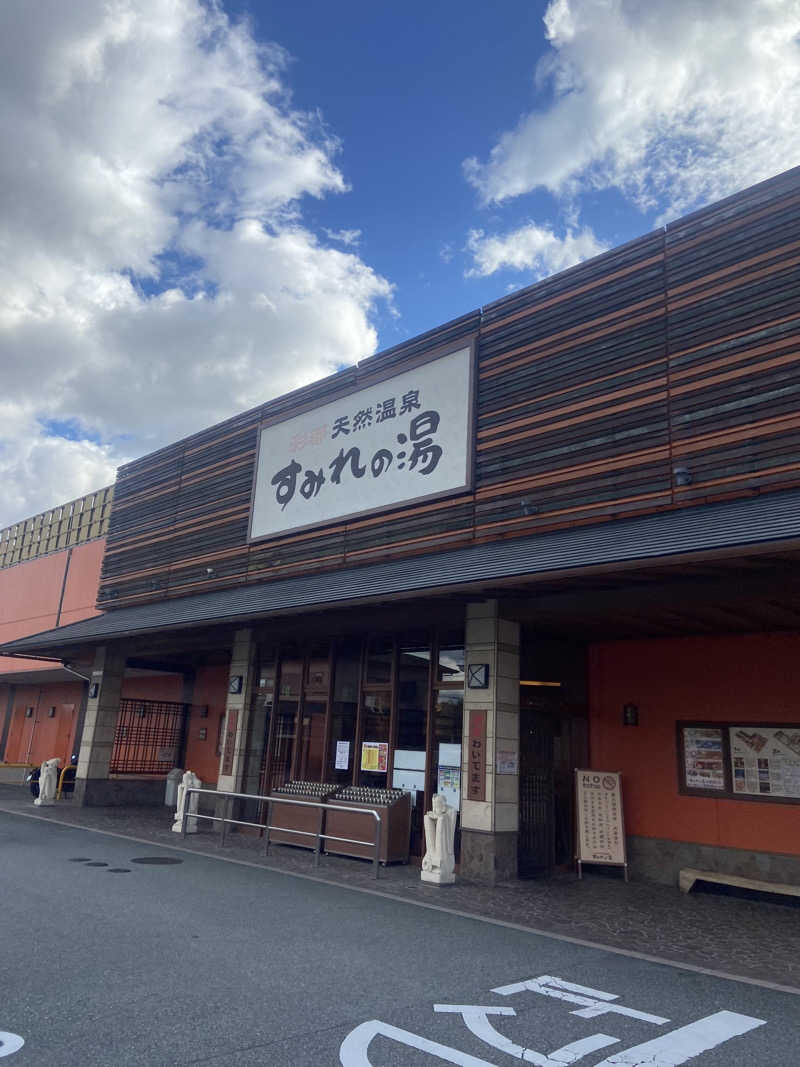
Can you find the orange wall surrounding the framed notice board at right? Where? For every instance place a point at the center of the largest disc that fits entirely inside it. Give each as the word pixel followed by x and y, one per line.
pixel 748 678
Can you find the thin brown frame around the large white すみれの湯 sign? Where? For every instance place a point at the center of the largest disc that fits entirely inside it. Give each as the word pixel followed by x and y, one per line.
pixel 366 383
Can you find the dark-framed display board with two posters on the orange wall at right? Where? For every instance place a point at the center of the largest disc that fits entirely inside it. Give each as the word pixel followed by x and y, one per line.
pixel 742 761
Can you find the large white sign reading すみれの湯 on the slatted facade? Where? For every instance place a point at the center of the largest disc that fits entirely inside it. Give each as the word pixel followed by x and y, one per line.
pixel 409 437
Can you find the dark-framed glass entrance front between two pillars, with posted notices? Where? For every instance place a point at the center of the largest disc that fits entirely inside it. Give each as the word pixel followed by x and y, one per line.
pixel 379 712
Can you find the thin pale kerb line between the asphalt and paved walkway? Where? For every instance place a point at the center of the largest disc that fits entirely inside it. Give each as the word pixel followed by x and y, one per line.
pixel 629 953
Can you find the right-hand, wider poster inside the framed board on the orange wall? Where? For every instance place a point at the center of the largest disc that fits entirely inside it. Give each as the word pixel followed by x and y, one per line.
pixel 766 761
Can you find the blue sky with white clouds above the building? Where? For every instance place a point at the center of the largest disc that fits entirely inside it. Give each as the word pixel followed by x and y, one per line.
pixel 204 205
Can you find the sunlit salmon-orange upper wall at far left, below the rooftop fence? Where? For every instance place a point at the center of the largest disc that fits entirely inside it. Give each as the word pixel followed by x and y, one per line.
pixel 30 594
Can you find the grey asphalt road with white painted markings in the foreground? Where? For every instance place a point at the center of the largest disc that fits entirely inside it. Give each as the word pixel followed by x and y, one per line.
pixel 207 962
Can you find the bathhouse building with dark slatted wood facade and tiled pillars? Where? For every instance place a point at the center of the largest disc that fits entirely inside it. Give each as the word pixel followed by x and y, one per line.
pixel 561 533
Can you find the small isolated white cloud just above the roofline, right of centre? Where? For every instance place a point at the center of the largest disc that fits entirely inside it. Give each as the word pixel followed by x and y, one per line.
pixel 532 248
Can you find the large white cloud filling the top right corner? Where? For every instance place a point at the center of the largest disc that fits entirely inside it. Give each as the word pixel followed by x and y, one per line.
pixel 675 103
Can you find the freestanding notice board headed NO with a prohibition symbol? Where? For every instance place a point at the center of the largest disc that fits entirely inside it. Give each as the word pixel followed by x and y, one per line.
pixel 601 829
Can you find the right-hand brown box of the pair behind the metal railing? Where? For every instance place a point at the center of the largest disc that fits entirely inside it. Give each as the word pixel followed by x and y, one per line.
pixel 394 806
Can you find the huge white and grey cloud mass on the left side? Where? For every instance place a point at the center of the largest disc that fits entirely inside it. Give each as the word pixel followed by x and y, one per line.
pixel 156 272
